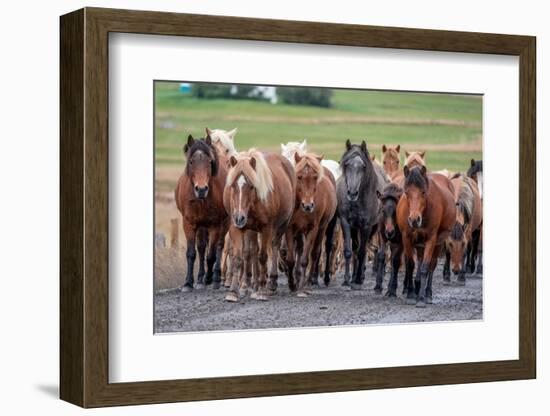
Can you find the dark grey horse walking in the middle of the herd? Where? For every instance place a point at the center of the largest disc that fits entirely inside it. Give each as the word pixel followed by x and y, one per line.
pixel 357 206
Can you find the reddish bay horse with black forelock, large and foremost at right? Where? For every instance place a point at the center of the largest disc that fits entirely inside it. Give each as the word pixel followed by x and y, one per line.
pixel 425 215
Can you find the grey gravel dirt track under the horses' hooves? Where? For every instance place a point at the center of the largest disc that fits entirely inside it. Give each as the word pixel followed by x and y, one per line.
pixel 204 310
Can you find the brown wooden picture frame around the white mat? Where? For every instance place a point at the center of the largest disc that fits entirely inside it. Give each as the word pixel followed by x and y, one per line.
pixel 84 207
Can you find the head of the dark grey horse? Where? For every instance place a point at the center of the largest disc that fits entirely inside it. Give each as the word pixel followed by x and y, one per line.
pixel 356 167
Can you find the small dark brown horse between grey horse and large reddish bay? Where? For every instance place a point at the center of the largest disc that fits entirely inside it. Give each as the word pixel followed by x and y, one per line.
pixel 389 233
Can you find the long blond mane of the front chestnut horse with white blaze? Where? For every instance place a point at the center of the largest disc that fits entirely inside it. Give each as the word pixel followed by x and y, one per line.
pixel 260 177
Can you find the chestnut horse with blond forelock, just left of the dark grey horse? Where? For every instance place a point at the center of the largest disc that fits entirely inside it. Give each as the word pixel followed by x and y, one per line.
pixel 314 209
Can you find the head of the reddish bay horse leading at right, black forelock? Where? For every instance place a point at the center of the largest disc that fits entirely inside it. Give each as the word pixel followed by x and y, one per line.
pixel 416 189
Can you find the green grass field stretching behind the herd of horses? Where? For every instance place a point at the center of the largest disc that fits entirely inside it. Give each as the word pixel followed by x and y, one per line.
pixel 448 127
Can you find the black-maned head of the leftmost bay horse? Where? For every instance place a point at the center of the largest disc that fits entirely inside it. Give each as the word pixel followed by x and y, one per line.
pixel 202 164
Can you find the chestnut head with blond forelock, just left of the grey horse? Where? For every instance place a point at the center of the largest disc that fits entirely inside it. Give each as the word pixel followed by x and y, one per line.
pixel 309 173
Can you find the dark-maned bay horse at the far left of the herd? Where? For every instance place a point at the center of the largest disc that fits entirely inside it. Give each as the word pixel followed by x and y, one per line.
pixel 199 198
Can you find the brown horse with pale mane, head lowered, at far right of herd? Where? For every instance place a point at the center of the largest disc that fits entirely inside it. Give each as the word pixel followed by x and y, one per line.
pixel 468 220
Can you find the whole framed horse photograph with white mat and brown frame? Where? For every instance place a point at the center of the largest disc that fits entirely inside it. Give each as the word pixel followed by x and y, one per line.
pixel 256 207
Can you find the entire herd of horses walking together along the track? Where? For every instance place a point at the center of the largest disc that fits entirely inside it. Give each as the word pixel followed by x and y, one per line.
pixel 304 216
